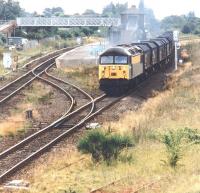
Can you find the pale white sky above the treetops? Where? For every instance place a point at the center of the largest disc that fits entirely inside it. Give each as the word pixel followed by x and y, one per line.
pixel 162 8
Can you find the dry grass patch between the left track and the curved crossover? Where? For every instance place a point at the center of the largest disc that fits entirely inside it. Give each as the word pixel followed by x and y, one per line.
pixel 16 123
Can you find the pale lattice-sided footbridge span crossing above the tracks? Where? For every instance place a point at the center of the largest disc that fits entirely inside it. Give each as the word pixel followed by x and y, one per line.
pixel 67 22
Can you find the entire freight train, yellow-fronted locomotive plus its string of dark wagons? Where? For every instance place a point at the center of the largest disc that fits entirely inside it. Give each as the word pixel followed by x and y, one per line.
pixel 123 66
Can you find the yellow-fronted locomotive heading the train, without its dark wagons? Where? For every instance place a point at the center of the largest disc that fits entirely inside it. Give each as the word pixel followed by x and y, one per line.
pixel 116 68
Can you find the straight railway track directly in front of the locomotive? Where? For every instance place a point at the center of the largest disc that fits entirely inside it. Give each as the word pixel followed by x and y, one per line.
pixel 24 152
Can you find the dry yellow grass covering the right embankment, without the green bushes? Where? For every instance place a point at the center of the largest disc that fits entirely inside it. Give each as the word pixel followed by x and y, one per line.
pixel 175 108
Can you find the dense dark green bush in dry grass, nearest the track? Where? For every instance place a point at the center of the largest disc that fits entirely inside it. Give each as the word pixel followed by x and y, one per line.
pixel 104 146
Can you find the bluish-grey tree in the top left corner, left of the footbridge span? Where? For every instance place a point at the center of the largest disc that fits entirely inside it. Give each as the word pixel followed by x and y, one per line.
pixel 9 10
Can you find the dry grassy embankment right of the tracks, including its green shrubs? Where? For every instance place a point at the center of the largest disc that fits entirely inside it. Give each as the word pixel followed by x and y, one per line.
pixel 165 155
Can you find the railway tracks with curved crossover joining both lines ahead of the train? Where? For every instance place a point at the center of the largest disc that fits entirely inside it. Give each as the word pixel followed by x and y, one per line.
pixel 17 156
